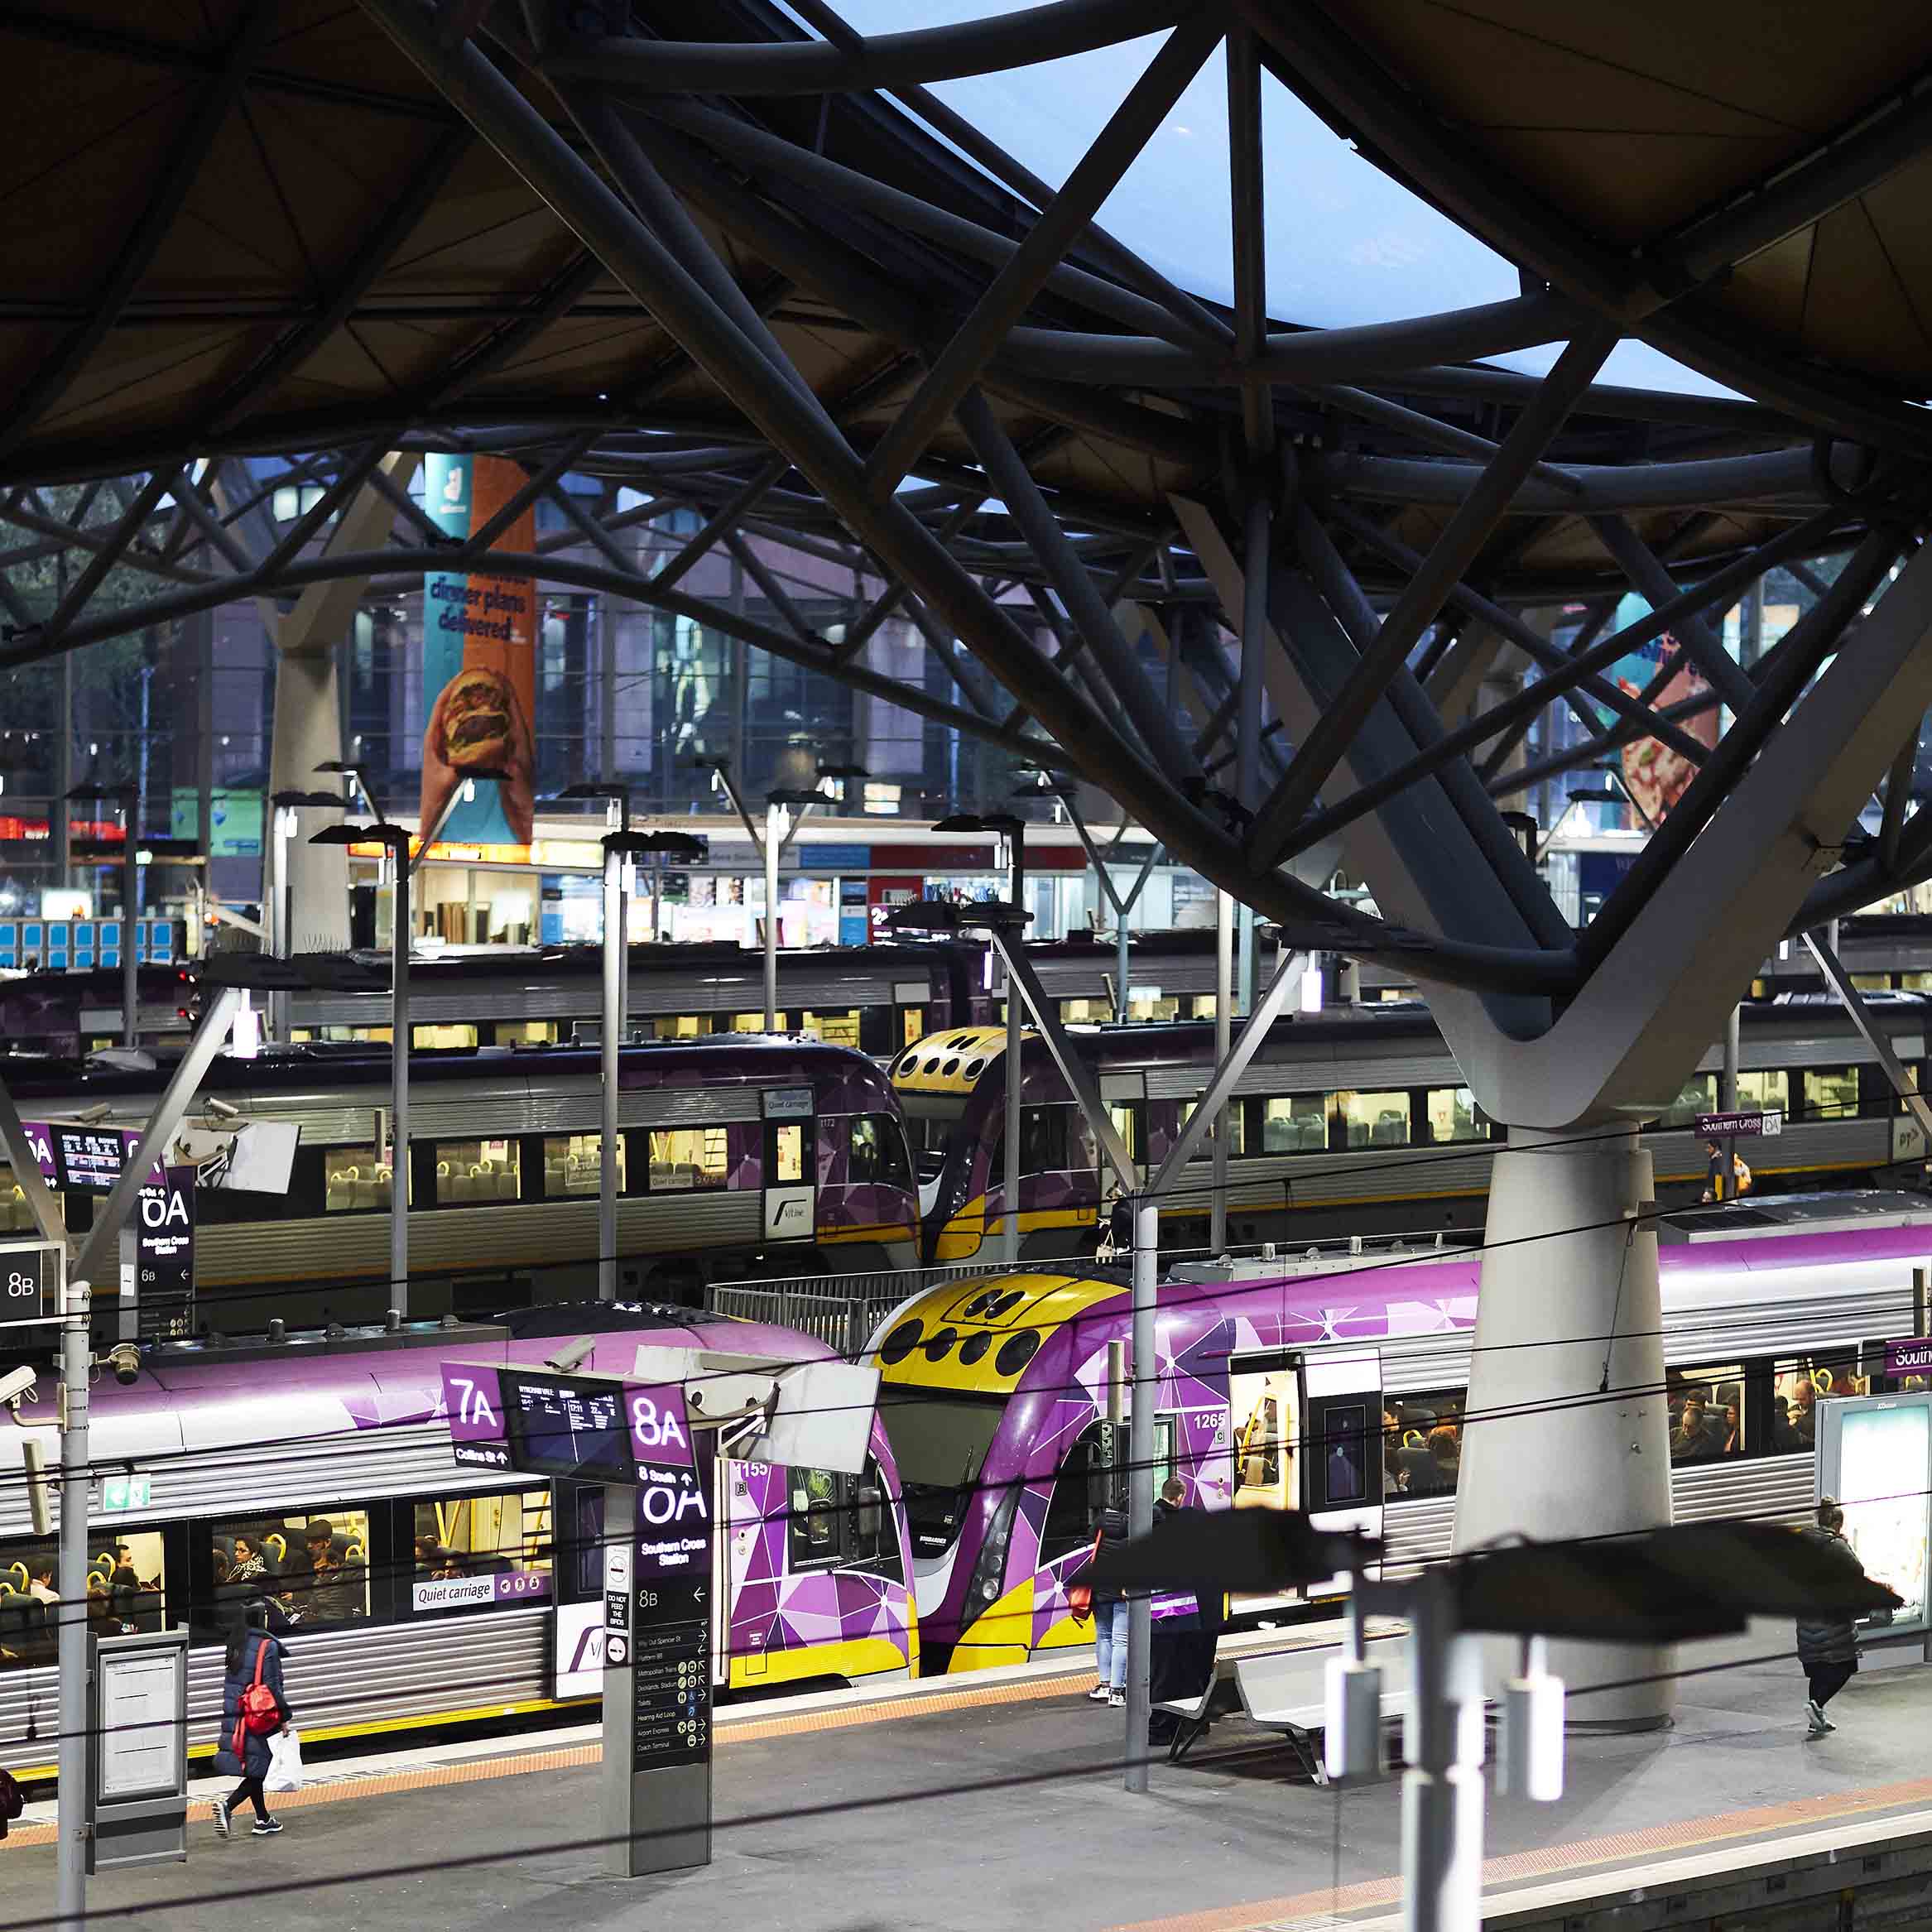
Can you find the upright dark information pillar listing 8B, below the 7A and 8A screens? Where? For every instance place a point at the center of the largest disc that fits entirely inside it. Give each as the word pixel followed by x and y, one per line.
pixel 658 1670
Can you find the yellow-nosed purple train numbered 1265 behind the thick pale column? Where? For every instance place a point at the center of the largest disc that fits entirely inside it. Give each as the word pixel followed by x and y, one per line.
pixel 1336 1384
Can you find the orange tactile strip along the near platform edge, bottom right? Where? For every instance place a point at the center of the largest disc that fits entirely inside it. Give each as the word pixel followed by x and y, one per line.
pixel 1550 1861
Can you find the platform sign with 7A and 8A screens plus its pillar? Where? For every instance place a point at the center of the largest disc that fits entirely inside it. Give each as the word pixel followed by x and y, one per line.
pixel 652 1442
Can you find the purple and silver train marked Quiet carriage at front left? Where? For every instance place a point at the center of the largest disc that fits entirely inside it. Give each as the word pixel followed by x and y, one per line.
pixel 424 1591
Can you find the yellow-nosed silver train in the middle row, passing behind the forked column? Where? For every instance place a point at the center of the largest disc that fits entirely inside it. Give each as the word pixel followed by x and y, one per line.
pixel 1359 1122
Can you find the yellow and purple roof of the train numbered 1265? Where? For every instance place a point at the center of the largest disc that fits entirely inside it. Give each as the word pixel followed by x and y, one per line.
pixel 980 1338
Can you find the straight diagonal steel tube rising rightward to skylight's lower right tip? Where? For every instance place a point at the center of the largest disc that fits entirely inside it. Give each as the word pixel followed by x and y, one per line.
pixel 1448 561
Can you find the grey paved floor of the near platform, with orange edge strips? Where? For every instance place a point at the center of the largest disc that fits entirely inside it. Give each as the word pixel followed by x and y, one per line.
pixel 992 1805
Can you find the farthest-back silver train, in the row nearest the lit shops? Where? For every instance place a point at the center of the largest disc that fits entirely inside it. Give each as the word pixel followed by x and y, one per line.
pixel 876 1000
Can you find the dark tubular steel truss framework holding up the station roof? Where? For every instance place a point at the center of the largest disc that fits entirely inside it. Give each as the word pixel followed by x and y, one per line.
pixel 754 277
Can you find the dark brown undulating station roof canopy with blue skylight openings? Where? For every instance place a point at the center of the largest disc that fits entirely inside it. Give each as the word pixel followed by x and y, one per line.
pixel 258 227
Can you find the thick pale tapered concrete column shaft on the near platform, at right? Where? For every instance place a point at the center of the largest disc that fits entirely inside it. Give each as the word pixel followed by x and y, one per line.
pixel 1566 1427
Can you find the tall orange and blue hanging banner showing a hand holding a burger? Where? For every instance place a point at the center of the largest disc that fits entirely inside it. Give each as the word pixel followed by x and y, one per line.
pixel 478 666
